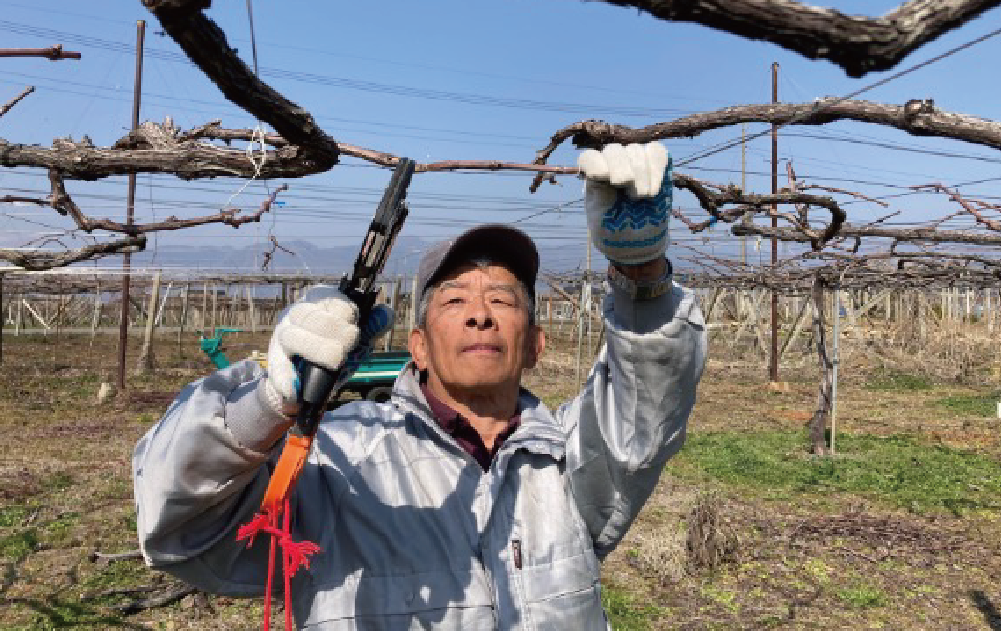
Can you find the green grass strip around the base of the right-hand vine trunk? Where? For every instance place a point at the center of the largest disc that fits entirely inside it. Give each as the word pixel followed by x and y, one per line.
pixel 897 469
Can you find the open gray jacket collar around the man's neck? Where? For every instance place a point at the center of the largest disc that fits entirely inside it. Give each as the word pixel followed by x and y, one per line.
pixel 538 433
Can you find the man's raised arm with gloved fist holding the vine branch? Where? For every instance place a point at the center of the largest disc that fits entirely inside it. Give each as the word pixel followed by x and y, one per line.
pixel 632 416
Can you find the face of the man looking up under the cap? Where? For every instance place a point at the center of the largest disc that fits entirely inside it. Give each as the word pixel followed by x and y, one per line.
pixel 477 339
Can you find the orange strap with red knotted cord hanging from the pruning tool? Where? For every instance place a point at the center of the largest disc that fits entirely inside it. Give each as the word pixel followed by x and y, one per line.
pixel 274 519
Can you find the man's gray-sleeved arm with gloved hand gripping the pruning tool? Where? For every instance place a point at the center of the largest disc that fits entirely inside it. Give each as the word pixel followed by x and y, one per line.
pixel 202 472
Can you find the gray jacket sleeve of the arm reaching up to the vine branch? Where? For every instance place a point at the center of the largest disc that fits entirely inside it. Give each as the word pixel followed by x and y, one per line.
pixel 632 415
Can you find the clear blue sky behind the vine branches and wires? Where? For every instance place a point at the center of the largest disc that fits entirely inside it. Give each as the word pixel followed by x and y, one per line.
pixel 462 81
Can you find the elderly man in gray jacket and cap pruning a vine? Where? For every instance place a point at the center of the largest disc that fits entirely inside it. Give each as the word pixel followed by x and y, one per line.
pixel 464 503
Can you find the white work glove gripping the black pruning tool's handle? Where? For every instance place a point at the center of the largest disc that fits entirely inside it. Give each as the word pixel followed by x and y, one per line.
pixel 321 328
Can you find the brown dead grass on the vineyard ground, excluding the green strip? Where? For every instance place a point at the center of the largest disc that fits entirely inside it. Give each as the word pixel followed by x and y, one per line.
pixel 799 559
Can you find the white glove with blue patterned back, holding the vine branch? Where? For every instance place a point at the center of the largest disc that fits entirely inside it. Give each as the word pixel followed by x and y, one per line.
pixel 628 200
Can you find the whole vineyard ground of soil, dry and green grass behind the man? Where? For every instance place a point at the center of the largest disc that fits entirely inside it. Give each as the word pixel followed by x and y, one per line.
pixel 827 553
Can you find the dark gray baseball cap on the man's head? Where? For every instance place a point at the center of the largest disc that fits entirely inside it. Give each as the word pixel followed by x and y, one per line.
pixel 507 246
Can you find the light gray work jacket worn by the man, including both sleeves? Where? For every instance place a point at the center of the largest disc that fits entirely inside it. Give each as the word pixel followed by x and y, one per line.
pixel 414 534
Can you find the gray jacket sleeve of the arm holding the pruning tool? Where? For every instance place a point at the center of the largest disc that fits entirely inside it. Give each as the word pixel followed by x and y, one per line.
pixel 200 474
